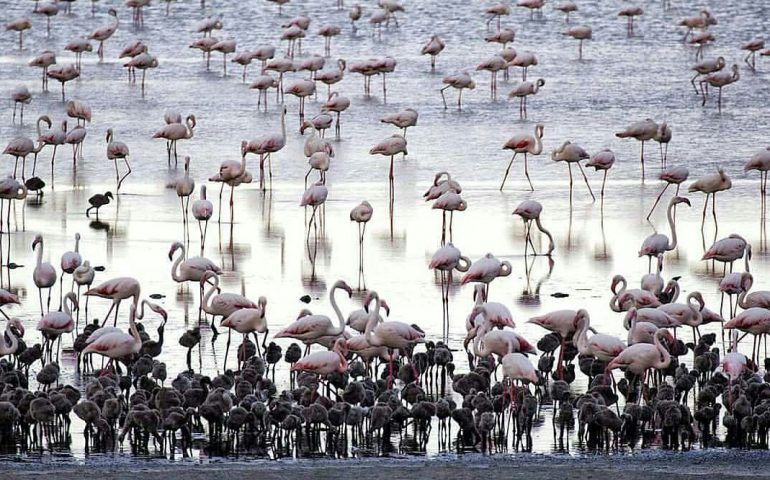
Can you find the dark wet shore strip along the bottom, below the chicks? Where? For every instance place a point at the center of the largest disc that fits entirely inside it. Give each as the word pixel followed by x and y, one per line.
pixel 671 466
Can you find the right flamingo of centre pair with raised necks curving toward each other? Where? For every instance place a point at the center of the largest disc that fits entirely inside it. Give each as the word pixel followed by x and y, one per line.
pixel 391 334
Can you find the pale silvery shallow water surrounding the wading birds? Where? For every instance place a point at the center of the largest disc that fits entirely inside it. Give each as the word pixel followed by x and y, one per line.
pixel 264 253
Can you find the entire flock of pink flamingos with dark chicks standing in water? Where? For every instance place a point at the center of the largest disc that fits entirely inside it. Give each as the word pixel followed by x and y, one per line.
pixel 363 379
